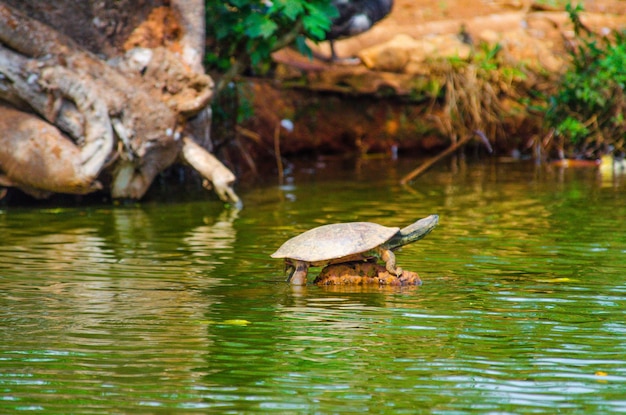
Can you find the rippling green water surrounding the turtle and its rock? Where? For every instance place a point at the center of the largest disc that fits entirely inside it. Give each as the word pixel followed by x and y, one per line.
pixel 177 308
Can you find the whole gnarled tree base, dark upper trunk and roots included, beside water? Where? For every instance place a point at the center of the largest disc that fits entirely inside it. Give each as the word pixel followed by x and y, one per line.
pixel 127 116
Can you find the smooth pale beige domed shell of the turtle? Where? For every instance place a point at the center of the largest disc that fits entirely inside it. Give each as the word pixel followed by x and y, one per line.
pixel 335 241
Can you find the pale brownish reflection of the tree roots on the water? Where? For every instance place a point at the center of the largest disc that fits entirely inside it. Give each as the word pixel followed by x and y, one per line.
pixel 82 293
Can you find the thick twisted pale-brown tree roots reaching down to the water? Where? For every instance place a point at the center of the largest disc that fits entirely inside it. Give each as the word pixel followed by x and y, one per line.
pixel 141 101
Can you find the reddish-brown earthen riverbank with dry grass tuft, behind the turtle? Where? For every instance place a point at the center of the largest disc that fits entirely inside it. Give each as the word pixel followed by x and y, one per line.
pixel 428 75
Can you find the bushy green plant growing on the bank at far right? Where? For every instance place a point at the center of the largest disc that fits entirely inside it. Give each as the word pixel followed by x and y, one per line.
pixel 586 111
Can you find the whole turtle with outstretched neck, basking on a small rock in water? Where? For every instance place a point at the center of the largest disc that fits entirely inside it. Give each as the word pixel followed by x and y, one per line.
pixel 346 242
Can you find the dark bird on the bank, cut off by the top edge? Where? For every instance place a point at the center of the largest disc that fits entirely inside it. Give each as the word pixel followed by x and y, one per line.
pixel 355 17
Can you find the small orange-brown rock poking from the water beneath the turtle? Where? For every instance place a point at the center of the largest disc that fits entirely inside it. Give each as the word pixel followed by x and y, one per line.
pixel 364 273
